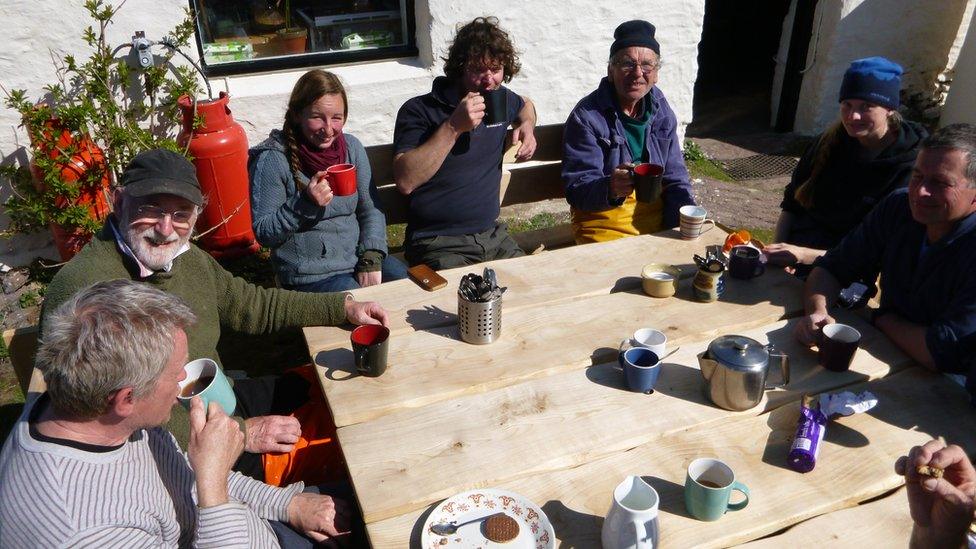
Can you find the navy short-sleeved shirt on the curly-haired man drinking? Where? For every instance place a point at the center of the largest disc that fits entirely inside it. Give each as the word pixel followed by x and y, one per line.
pixel 462 196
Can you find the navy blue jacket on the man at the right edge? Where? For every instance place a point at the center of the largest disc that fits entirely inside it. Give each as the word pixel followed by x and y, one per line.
pixel 936 288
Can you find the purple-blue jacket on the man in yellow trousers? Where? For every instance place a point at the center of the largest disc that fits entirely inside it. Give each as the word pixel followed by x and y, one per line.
pixel 594 144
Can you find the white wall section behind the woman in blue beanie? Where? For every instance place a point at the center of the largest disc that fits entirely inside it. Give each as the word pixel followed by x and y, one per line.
pixel 915 34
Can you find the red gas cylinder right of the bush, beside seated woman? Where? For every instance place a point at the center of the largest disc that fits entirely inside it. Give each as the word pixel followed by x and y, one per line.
pixel 219 151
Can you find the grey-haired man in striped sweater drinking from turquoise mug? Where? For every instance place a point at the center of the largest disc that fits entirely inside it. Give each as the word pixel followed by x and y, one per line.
pixel 87 463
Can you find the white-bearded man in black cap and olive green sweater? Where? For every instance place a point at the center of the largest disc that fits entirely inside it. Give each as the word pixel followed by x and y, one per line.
pixel 147 239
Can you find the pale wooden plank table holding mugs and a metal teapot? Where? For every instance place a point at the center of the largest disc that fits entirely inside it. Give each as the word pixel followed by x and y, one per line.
pixel 544 410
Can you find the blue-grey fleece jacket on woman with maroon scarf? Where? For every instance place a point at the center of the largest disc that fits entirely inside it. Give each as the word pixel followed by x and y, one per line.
pixel 310 243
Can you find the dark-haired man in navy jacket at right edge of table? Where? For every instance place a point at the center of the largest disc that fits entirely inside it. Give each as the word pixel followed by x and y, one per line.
pixel 923 243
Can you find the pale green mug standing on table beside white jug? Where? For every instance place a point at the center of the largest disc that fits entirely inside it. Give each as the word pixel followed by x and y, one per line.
pixel 708 488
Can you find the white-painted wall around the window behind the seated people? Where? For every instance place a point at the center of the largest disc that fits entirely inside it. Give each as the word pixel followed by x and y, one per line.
pixel 564 46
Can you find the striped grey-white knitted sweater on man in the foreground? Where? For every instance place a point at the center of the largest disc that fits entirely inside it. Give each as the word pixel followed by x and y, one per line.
pixel 141 494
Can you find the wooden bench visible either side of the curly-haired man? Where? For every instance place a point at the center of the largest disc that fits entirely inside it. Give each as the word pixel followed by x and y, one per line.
pixel 522 183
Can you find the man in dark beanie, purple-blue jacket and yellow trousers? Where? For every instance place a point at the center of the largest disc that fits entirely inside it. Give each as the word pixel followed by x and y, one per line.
pixel 624 122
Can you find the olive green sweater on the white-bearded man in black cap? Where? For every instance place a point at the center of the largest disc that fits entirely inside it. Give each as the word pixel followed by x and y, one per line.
pixel 216 297
